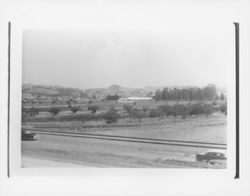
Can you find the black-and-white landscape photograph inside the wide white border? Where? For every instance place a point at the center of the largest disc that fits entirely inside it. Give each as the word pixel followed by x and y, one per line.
pixel 125 98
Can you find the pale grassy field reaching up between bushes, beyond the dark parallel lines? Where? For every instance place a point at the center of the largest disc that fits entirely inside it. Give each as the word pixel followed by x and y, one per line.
pixel 210 128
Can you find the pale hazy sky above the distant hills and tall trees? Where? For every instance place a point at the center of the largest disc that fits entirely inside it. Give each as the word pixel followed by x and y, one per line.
pixel 178 54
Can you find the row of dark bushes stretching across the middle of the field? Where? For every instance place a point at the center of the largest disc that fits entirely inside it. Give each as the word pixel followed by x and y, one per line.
pixel 112 116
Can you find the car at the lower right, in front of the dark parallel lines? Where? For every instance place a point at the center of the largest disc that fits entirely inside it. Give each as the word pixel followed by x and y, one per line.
pixel 213 154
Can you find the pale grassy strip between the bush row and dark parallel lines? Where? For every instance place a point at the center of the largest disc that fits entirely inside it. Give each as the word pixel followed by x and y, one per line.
pixel 200 128
